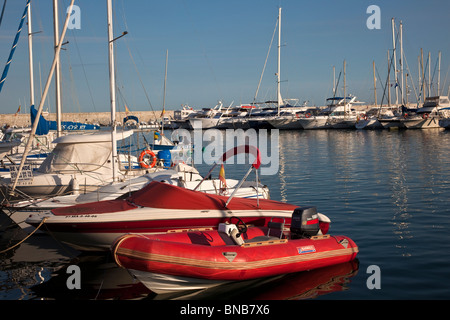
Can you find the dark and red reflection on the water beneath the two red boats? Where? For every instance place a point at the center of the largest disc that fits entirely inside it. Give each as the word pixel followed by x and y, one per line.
pixel 103 279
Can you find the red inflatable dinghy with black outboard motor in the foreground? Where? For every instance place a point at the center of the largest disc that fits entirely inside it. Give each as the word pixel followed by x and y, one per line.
pixel 200 259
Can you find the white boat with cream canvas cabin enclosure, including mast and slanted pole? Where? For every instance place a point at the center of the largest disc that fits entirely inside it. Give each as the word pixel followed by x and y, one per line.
pixel 88 159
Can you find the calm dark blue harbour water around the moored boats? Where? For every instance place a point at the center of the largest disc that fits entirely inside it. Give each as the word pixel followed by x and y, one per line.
pixel 387 190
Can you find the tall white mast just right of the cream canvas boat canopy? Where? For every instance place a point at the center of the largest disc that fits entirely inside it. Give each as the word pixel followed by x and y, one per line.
pixel 112 88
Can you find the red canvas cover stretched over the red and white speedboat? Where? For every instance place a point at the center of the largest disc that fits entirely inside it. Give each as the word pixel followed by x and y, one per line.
pixel 165 196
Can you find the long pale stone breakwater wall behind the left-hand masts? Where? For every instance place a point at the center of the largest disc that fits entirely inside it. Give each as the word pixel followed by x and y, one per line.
pixel 102 118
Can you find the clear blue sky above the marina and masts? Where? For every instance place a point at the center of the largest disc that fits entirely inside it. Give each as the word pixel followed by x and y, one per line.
pixel 217 51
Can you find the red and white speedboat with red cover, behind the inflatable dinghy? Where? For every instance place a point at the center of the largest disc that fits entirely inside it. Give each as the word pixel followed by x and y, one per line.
pixel 157 208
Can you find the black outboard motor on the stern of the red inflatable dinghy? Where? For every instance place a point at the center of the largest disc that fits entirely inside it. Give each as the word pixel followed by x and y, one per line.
pixel 304 222
